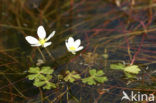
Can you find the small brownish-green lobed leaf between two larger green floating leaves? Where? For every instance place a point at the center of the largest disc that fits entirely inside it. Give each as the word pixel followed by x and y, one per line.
pixel 71 76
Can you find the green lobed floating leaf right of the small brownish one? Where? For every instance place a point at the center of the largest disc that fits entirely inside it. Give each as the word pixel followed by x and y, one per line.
pixel 95 76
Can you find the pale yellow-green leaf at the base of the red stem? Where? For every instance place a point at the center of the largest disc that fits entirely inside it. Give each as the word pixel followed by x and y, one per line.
pixel 134 69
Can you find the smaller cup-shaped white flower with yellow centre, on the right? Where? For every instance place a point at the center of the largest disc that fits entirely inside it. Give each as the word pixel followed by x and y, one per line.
pixel 73 46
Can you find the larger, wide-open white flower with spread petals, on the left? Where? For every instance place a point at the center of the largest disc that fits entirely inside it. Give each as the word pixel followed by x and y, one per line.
pixel 42 38
